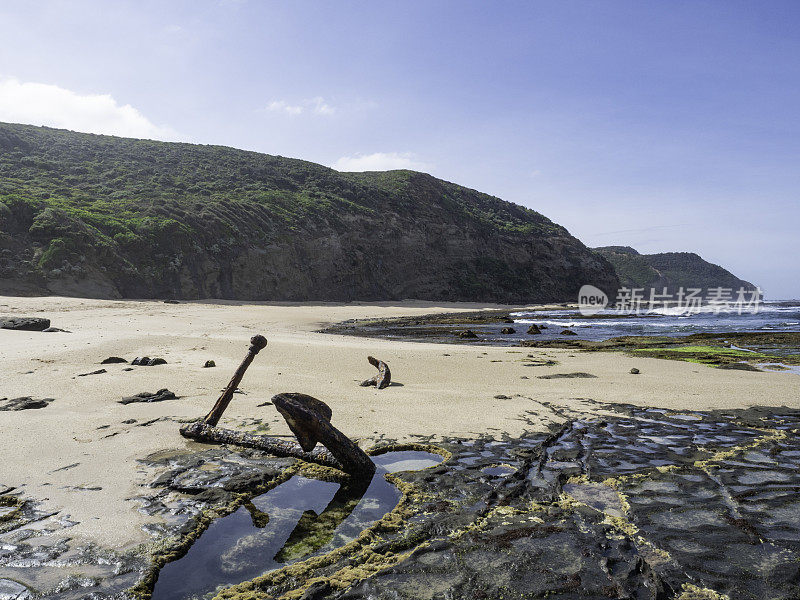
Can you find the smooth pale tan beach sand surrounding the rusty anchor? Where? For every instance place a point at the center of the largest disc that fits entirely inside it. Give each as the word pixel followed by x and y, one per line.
pixel 77 455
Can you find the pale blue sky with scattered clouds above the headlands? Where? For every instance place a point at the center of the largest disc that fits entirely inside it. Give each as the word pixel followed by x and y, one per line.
pixel 666 126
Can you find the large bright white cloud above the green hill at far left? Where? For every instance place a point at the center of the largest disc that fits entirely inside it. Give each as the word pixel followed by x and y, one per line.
pixel 46 104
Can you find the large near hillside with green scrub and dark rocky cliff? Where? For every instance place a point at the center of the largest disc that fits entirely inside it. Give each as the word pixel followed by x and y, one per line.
pixel 100 216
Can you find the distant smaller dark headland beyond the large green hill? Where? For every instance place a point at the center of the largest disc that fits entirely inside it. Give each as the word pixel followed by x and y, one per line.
pixel 671 270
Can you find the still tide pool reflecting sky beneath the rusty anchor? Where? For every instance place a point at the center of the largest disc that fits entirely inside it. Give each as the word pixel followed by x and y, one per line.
pixel 291 522
